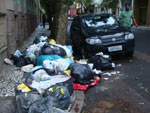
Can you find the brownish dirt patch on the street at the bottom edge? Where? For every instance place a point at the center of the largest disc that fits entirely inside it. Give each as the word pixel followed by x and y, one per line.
pixel 113 106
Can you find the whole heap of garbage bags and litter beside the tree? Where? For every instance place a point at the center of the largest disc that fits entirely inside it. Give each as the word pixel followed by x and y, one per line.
pixel 52 75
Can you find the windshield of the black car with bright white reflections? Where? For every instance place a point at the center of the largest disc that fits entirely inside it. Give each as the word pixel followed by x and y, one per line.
pixel 98 21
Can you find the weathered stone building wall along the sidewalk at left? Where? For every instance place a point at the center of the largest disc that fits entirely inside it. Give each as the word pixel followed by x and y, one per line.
pixel 18 19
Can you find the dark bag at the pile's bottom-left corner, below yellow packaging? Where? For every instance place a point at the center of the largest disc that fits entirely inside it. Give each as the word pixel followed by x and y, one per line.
pixel 25 100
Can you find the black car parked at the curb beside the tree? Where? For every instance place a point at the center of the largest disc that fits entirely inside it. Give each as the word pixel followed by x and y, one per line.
pixel 93 33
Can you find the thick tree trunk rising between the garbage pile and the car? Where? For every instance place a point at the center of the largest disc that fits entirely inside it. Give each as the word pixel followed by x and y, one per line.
pixel 60 23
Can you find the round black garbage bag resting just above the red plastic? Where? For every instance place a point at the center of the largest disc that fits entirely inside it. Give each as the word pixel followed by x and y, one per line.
pixel 81 73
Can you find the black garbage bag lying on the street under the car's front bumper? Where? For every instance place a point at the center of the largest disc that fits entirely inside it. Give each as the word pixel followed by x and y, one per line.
pixel 101 63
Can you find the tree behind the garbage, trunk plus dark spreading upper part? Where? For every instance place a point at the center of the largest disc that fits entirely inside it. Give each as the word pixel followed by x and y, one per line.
pixel 58 10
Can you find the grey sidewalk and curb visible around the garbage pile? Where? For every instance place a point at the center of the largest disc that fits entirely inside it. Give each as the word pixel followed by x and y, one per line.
pixel 11 75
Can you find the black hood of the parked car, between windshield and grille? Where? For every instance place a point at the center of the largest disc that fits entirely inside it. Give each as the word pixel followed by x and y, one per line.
pixel 105 30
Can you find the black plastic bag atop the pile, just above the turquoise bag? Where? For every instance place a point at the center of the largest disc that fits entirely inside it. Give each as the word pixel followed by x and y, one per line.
pixel 49 49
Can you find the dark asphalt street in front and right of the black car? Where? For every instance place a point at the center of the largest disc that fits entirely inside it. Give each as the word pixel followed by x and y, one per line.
pixel 129 90
